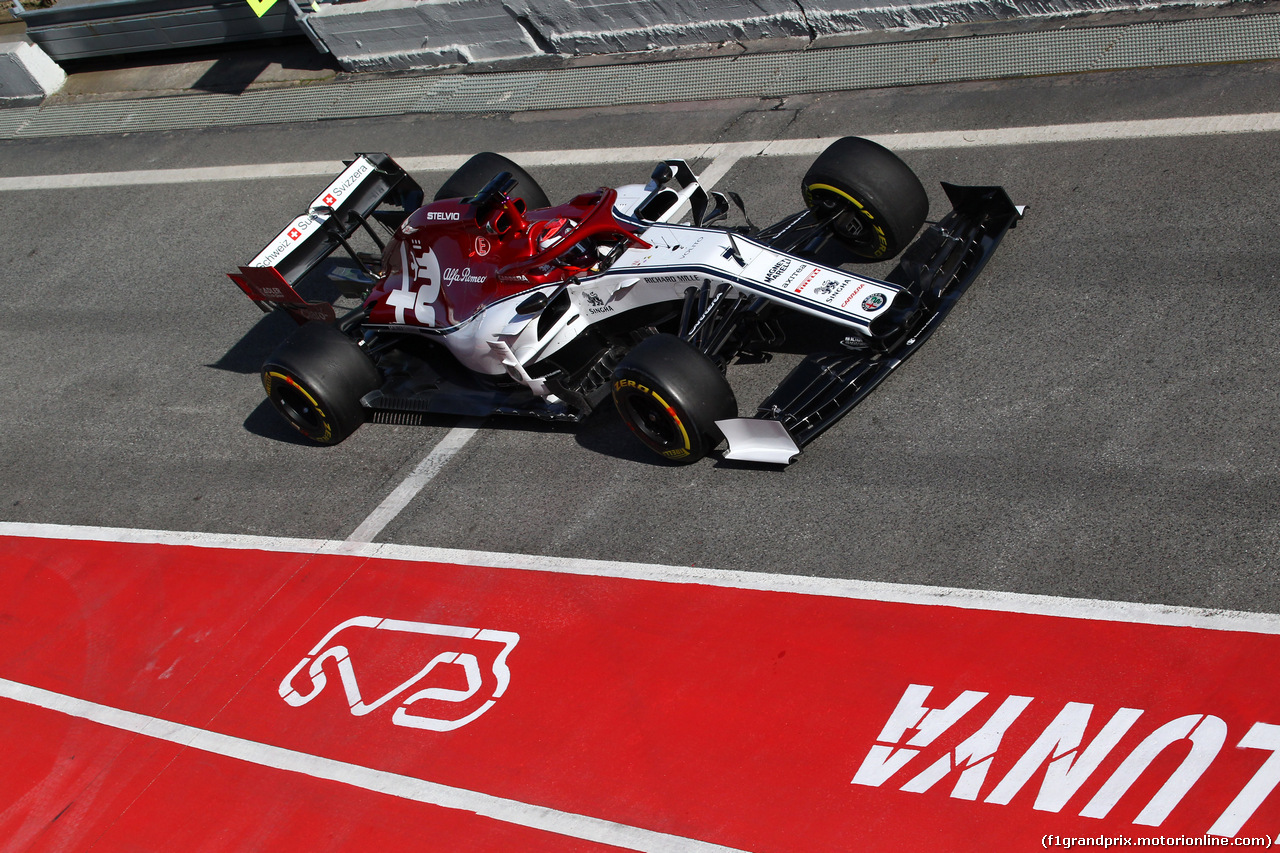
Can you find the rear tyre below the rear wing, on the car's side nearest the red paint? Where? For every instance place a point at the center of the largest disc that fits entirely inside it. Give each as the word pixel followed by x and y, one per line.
pixel 316 380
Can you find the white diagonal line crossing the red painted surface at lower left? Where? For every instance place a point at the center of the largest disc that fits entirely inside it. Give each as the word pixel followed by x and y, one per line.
pixel 592 829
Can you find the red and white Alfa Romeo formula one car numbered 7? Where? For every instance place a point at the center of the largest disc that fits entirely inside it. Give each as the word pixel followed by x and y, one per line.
pixel 491 300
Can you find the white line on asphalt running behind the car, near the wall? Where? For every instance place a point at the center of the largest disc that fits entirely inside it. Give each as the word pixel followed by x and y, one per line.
pixel 1087 133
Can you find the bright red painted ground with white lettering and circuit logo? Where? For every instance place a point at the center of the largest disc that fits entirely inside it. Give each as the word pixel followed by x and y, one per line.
pixel 738 718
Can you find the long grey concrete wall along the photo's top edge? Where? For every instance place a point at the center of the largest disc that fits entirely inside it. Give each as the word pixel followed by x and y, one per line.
pixel 390 35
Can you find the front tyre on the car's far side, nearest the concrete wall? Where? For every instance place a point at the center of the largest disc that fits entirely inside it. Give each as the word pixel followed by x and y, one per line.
pixel 877 200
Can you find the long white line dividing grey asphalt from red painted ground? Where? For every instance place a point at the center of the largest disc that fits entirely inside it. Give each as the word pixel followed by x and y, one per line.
pixel 1112 612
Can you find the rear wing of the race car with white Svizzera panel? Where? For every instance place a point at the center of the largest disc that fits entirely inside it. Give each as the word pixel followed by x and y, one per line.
pixel 346 206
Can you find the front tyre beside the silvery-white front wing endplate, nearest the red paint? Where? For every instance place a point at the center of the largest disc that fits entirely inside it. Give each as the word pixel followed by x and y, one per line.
pixel 671 396
